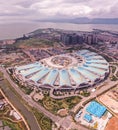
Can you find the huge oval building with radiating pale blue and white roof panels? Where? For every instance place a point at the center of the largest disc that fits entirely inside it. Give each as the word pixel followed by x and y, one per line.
pixel 70 71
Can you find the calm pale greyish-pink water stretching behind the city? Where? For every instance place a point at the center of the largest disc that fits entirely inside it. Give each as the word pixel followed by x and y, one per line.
pixel 14 30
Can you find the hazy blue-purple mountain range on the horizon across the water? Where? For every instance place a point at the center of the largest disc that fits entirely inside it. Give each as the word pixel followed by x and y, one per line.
pixel 83 20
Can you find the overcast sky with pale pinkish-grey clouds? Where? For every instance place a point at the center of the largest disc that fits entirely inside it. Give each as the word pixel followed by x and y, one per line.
pixel 27 10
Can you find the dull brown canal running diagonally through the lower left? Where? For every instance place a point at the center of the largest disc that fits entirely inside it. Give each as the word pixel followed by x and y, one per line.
pixel 17 103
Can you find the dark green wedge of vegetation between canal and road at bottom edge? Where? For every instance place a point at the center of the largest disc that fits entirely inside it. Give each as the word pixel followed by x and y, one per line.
pixel 44 122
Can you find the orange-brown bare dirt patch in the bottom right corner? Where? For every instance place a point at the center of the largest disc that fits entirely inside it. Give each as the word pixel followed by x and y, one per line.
pixel 112 124
